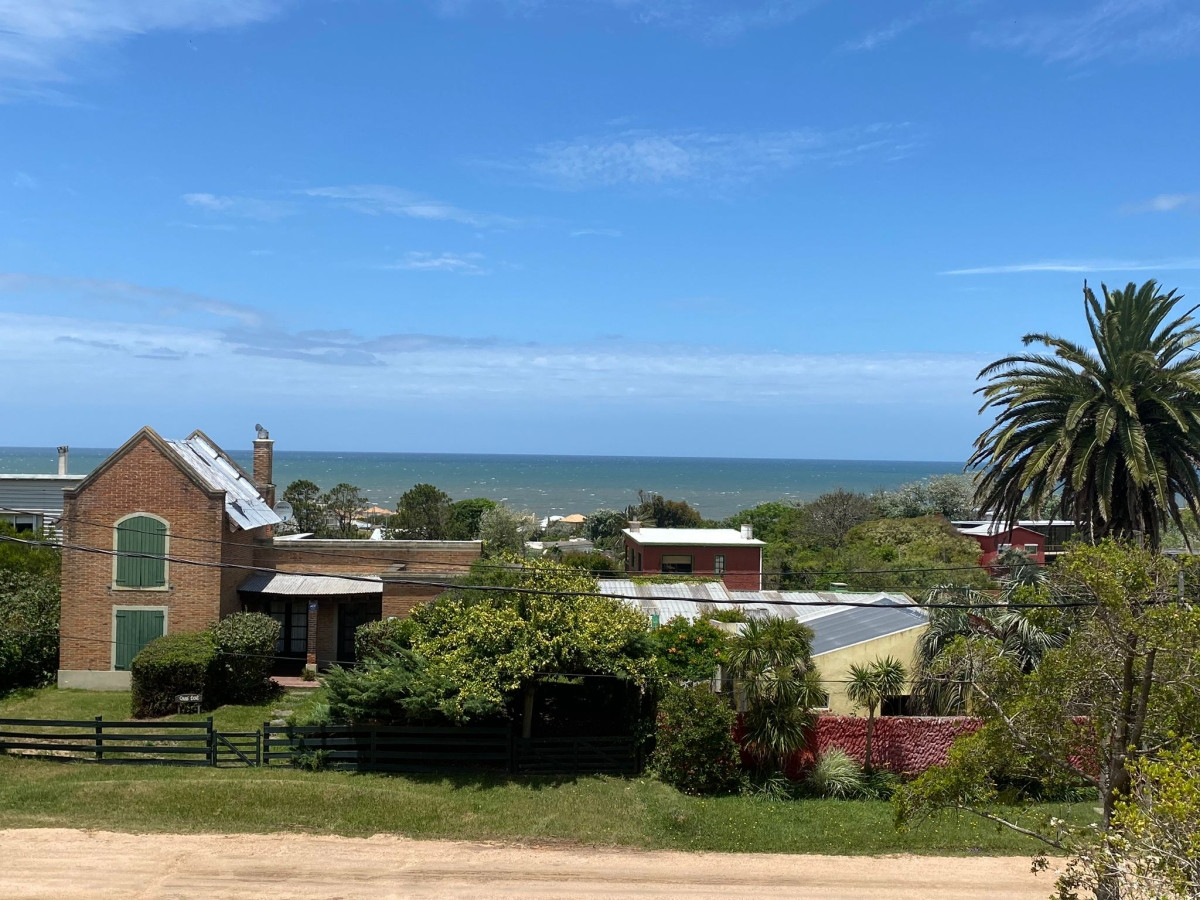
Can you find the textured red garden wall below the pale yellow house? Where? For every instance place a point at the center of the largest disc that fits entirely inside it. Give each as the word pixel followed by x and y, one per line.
pixel 907 746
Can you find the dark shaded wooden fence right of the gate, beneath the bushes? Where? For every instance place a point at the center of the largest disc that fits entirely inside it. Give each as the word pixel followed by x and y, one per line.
pixel 447 751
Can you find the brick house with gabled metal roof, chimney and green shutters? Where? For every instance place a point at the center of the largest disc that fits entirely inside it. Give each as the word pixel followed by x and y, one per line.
pixel 172 536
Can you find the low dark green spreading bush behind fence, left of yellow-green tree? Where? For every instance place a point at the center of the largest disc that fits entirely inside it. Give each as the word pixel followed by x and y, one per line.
pixel 401 691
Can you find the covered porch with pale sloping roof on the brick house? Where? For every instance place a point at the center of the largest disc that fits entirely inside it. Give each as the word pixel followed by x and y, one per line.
pixel 317 615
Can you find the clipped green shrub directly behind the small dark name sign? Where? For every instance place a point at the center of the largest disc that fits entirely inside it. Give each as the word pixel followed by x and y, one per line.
pixel 171 665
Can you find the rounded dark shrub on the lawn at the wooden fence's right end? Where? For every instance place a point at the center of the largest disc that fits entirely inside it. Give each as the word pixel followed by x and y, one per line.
pixel 695 751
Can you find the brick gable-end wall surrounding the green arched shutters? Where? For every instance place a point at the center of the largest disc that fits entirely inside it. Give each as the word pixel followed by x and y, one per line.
pixel 143 481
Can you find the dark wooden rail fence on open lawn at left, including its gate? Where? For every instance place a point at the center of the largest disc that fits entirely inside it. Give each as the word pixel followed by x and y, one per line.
pixel 124 743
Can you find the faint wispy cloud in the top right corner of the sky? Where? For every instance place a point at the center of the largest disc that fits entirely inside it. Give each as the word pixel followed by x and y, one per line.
pixel 1102 29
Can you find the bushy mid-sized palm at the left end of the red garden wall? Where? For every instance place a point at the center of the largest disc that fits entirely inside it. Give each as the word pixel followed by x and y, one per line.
pixel 772 661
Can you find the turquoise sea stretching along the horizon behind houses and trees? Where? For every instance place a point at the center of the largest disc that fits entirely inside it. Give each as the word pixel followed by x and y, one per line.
pixel 556 485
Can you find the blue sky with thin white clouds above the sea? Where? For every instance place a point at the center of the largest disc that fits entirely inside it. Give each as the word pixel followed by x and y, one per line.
pixel 682 227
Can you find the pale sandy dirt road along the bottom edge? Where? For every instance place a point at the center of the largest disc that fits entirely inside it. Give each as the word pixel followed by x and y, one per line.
pixel 65 863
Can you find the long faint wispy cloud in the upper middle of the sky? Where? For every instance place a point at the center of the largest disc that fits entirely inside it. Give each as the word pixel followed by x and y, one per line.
pixel 646 158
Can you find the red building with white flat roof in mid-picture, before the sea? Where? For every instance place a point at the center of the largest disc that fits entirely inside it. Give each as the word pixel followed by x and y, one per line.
pixel 736 556
